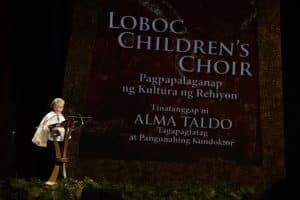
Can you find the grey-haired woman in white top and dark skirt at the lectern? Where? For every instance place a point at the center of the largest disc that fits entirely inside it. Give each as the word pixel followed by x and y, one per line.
pixel 43 140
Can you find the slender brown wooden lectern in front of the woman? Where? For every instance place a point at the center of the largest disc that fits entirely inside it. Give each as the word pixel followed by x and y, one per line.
pixel 61 150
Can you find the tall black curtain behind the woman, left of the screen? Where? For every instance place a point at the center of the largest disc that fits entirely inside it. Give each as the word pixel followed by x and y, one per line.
pixel 38 41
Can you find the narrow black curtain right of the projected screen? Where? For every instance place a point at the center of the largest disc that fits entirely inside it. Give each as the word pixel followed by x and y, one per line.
pixel 290 55
